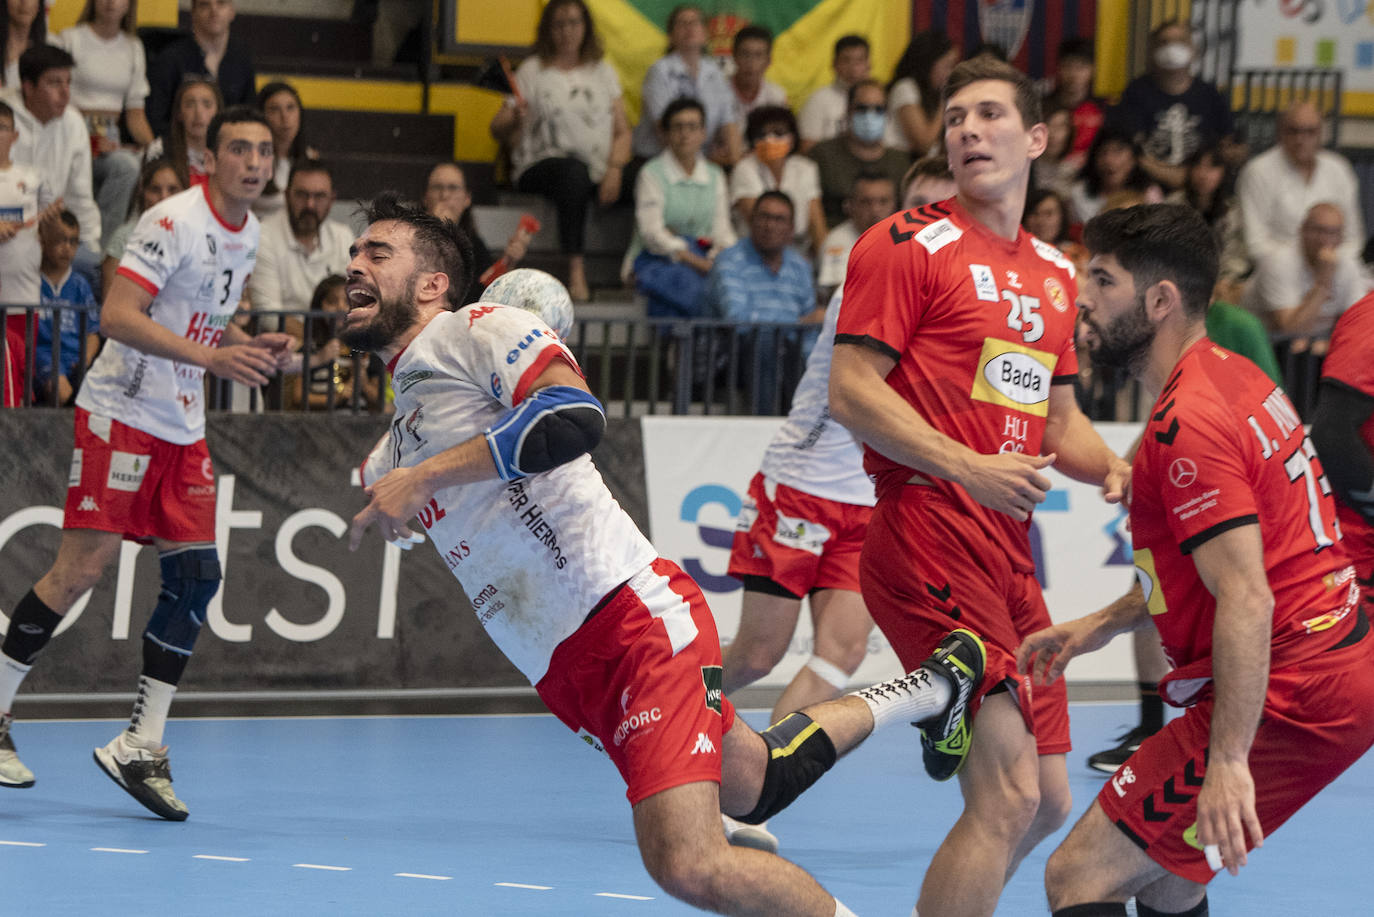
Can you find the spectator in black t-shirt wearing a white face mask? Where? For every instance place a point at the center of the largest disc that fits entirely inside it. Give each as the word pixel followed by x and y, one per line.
pixel 1173 112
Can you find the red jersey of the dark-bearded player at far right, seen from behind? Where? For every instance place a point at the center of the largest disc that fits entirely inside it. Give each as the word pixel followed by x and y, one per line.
pixel 1225 448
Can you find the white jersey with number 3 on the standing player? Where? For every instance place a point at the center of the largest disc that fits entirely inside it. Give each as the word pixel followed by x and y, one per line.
pixel 196 266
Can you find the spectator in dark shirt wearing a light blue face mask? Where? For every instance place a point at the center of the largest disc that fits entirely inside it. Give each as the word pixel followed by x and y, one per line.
pixel 859 149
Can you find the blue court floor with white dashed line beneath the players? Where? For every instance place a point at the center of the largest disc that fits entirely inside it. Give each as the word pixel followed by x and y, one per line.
pixel 515 816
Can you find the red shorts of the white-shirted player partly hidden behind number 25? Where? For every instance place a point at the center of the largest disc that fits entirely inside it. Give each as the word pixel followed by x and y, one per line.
pixel 799 541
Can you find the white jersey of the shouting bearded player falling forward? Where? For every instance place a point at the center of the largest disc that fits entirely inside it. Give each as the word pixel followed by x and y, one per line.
pixel 534 555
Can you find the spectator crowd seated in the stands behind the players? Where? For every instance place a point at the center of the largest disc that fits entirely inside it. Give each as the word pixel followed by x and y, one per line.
pixel 745 203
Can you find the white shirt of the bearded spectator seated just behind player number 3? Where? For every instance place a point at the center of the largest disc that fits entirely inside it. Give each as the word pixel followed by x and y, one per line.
pixel 286 274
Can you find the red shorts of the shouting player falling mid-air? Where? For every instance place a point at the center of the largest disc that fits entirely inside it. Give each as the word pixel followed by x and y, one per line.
pixel 642 681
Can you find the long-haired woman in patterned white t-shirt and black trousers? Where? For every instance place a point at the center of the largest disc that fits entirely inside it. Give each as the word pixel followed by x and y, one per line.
pixel 567 127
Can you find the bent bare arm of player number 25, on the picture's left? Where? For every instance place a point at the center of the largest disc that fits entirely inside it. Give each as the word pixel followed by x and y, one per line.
pixel 879 417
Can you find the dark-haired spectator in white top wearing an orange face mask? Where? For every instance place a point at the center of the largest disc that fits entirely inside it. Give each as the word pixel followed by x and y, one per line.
pixel 776 166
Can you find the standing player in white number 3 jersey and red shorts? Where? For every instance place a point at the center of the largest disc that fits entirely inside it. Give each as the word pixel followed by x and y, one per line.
pixel 141 469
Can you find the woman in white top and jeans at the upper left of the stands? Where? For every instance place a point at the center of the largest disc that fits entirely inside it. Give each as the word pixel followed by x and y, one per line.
pixel 111 82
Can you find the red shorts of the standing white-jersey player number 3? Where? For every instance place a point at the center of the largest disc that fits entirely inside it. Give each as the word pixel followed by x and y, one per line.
pixel 130 482
